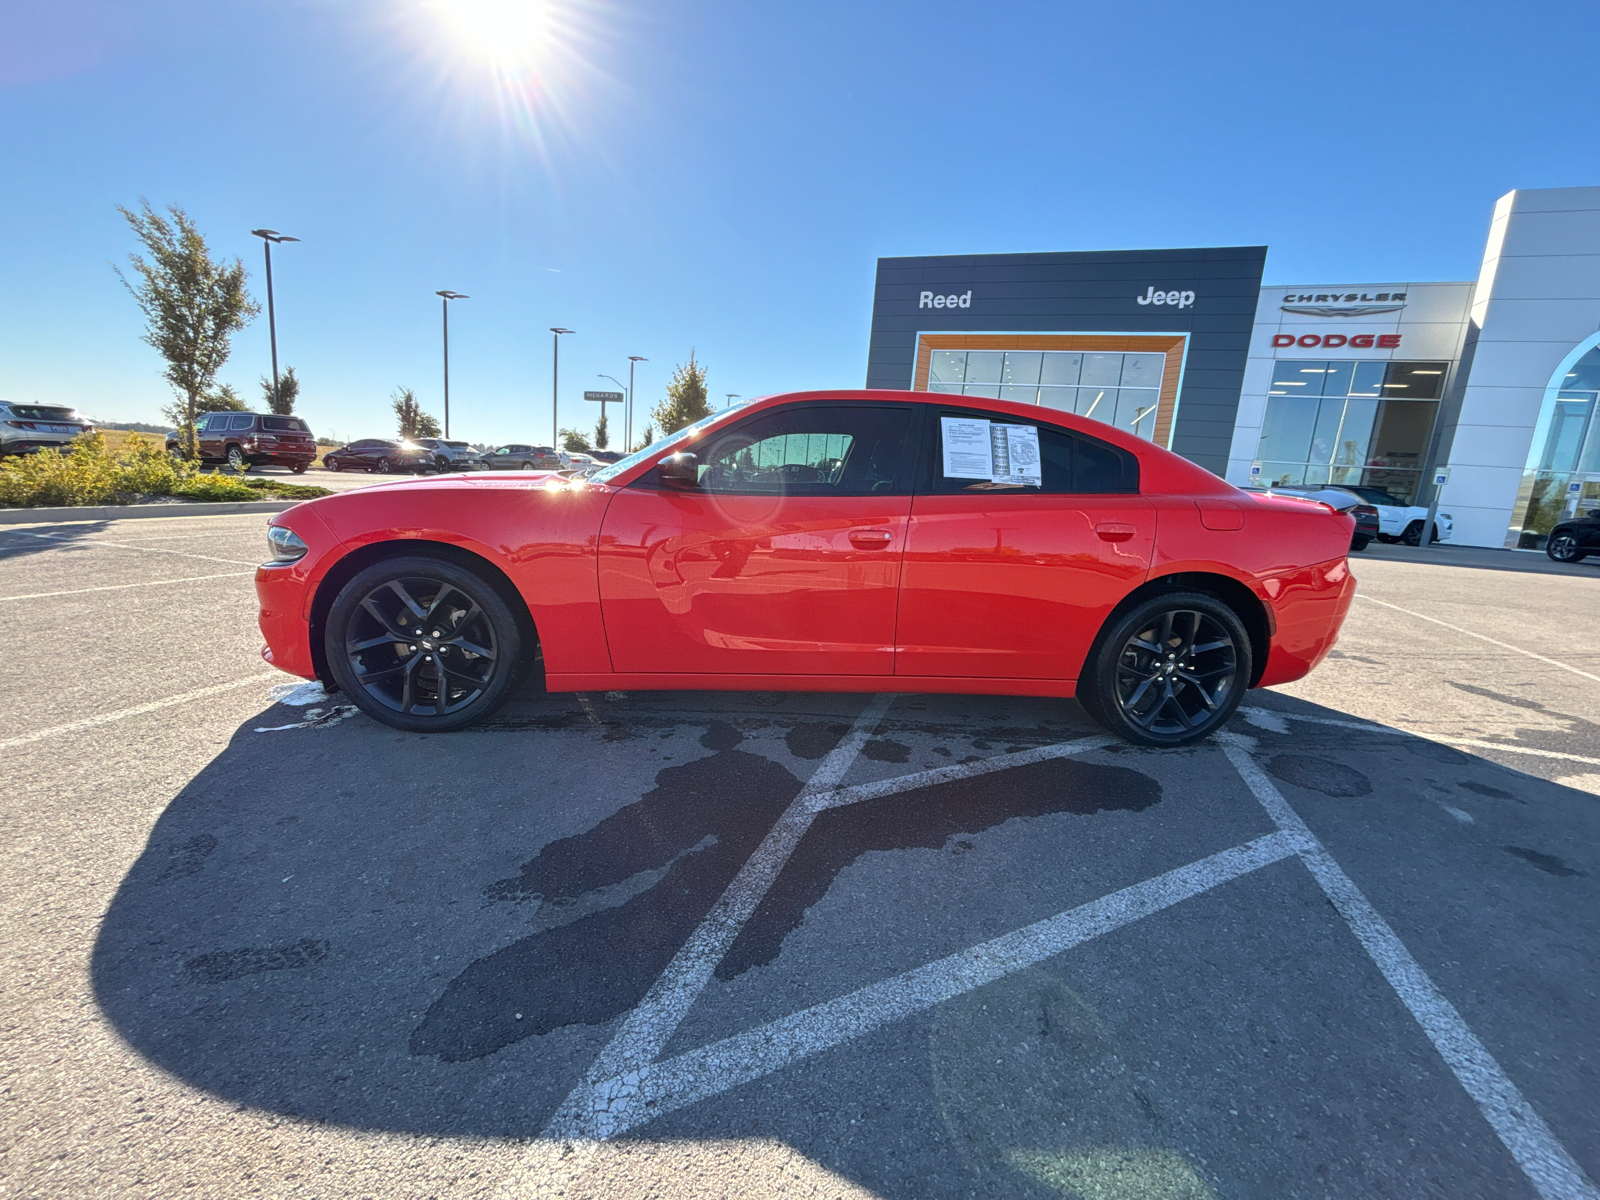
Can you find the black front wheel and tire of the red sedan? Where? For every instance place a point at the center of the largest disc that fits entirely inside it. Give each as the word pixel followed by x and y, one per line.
pixel 393 674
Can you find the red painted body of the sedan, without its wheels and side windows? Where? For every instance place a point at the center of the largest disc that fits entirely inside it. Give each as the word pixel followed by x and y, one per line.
pixel 636 588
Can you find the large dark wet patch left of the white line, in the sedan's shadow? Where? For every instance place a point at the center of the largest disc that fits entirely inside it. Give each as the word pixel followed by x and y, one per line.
pixel 703 818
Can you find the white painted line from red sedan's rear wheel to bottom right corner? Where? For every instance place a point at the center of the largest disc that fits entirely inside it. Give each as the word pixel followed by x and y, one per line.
pixel 1532 1143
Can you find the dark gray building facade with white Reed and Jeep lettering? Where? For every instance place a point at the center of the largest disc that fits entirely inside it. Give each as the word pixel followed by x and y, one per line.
pixel 1172 327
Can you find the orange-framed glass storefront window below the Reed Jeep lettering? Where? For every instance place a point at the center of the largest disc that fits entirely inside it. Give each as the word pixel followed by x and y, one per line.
pixel 1121 390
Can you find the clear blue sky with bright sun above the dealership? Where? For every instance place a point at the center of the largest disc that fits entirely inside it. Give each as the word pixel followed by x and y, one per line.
pixel 718 175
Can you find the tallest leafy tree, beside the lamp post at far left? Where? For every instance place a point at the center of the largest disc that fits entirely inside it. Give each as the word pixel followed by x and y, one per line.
pixel 193 305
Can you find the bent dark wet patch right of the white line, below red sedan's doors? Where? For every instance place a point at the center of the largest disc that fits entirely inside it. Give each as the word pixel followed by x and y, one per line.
pixel 927 818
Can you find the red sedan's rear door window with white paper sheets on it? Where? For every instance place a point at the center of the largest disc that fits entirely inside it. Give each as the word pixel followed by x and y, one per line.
pixel 977 452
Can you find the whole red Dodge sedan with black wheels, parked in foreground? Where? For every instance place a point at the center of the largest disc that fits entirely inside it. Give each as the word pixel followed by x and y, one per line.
pixel 820 542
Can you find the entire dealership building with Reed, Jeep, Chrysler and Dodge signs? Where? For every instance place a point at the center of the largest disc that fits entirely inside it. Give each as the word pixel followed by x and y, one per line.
pixel 1369 385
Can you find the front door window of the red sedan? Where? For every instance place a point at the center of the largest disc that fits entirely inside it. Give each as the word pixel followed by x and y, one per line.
pixel 812 450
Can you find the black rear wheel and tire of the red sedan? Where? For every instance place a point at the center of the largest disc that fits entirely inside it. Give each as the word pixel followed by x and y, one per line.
pixel 1151 684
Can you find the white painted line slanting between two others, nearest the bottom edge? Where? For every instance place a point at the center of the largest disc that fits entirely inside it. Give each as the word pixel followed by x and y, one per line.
pixel 646 1094
